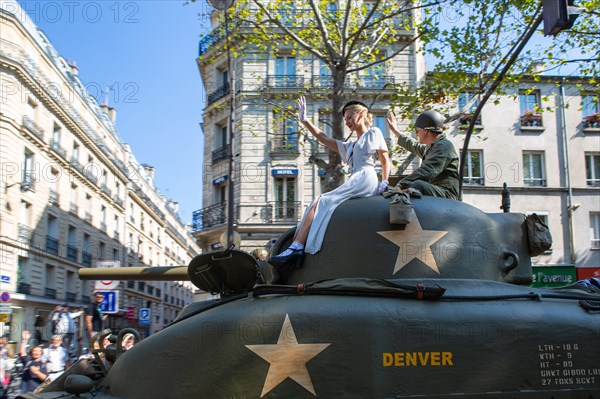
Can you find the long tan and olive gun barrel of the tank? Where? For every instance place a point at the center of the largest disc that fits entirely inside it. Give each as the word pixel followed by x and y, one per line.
pixel 156 273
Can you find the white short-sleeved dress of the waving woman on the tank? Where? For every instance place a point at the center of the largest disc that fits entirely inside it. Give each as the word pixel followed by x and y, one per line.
pixel 360 155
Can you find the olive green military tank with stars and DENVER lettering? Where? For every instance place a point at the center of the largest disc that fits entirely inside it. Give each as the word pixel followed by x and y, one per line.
pixel 439 307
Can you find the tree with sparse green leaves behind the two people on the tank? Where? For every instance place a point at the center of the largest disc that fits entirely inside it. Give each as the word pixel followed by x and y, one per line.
pixel 472 46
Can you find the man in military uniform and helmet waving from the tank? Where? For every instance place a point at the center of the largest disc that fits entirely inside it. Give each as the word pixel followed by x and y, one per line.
pixel 438 174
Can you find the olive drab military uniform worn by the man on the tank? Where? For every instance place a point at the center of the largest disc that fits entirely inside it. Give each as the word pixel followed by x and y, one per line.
pixel 438 174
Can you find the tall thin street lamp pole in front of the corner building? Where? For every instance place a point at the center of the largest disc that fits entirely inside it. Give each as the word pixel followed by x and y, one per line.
pixel 224 5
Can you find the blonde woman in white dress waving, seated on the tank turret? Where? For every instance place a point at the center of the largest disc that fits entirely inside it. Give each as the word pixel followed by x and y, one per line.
pixel 360 155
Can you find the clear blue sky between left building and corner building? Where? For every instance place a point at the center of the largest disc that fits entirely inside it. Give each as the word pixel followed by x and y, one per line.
pixel 145 51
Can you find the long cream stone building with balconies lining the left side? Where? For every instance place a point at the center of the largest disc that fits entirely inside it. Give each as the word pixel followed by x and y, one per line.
pixel 73 194
